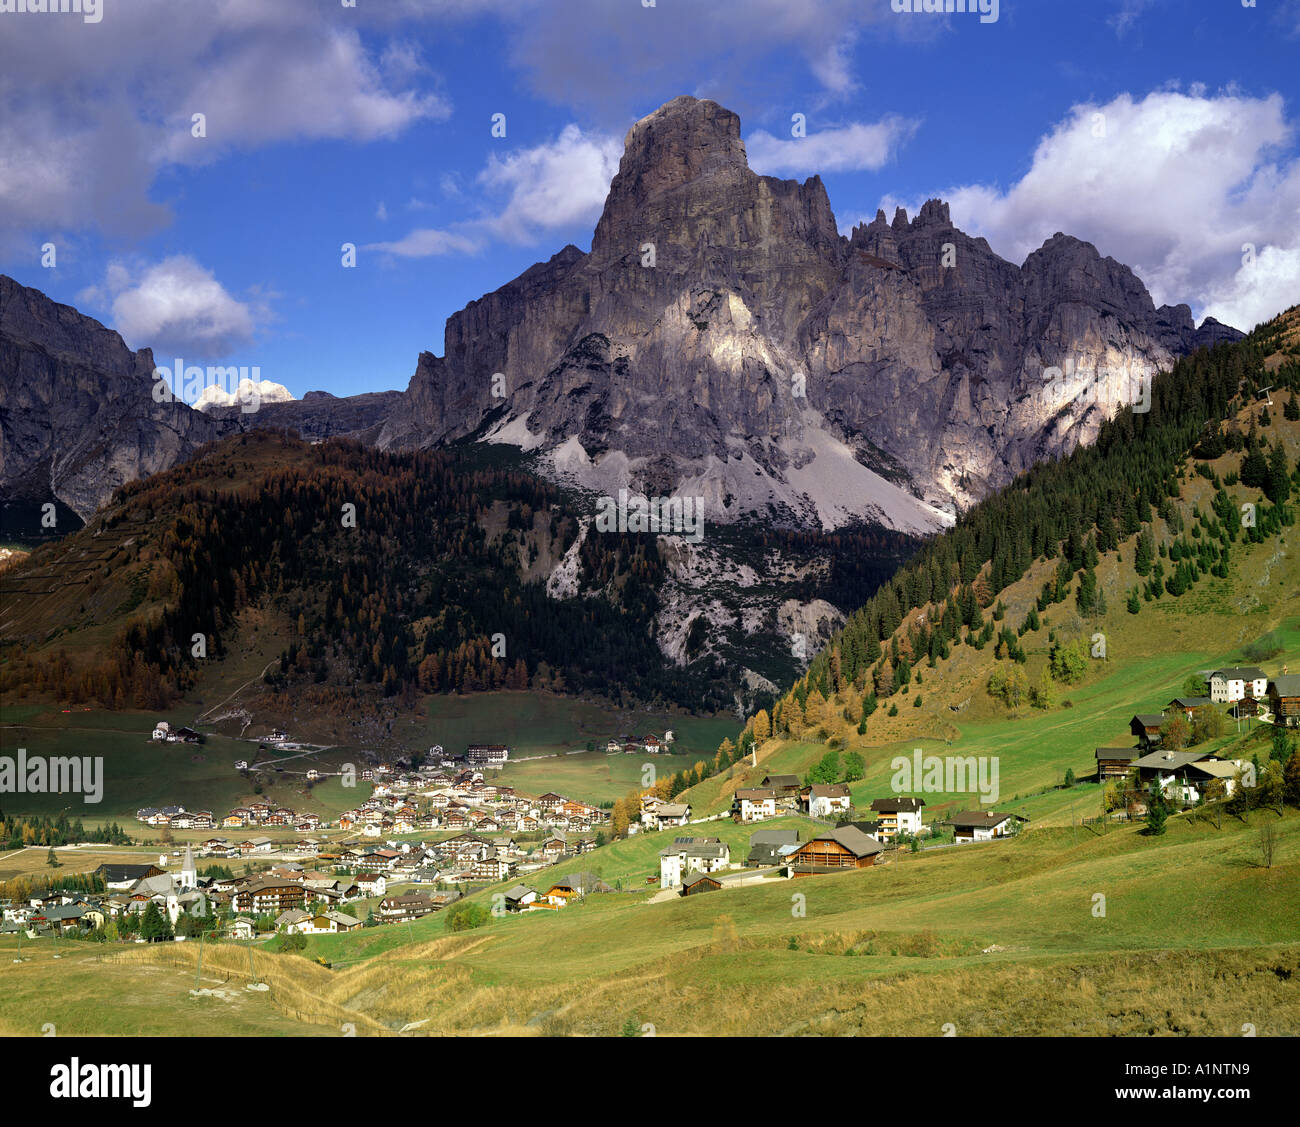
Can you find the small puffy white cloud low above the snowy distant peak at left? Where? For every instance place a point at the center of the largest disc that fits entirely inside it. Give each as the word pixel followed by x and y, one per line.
pixel 176 306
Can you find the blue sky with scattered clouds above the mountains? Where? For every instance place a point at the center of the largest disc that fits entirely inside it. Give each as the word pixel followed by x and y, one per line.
pixel 1163 131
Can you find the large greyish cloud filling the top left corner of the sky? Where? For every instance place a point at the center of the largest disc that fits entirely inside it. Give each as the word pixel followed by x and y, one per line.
pixel 93 114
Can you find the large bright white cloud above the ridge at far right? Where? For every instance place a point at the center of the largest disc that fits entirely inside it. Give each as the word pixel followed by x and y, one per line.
pixel 1175 188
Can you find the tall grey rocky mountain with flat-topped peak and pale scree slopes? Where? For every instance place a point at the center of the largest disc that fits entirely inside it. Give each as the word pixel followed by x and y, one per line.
pixel 723 340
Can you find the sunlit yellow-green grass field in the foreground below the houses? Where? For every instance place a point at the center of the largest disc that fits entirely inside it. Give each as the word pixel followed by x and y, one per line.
pixel 1197 938
